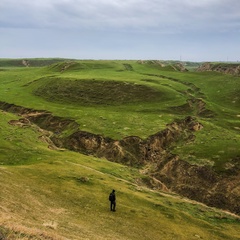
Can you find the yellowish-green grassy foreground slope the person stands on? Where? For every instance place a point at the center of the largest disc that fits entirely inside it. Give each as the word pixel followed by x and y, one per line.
pixel 64 195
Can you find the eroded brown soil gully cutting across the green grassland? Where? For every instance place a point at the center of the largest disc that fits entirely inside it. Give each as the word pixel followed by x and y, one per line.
pixel 153 155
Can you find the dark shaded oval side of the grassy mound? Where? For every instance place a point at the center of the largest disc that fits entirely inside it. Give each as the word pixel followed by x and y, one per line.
pixel 97 92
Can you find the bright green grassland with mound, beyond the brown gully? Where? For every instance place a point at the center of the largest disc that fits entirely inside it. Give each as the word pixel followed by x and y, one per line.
pixel 107 98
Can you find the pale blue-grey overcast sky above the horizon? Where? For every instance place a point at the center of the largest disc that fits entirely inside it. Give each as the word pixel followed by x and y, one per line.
pixel 187 30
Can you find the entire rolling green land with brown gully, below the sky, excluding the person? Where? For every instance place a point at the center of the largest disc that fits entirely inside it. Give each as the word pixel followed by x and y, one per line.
pixel 165 138
